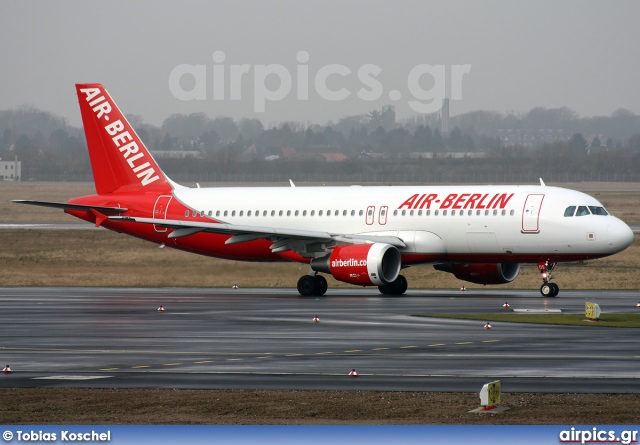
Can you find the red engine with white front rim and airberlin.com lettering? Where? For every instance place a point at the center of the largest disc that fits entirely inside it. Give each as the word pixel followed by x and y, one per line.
pixel 362 264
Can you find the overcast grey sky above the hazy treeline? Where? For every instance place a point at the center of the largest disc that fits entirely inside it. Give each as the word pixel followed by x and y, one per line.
pixel 315 61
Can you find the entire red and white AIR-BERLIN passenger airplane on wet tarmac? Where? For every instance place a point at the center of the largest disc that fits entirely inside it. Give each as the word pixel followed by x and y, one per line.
pixel 359 235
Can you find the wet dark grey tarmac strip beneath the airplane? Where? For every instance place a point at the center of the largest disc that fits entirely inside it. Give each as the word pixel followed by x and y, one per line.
pixel 265 338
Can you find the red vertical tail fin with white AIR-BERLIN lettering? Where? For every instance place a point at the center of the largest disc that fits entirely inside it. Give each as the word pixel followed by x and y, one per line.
pixel 119 159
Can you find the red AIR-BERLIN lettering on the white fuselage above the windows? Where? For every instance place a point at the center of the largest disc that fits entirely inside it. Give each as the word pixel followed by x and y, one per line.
pixel 456 201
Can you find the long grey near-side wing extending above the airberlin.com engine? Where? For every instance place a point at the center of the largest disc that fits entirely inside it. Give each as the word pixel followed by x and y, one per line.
pixel 284 239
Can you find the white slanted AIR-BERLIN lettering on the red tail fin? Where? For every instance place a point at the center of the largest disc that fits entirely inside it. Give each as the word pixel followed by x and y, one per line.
pixel 130 150
